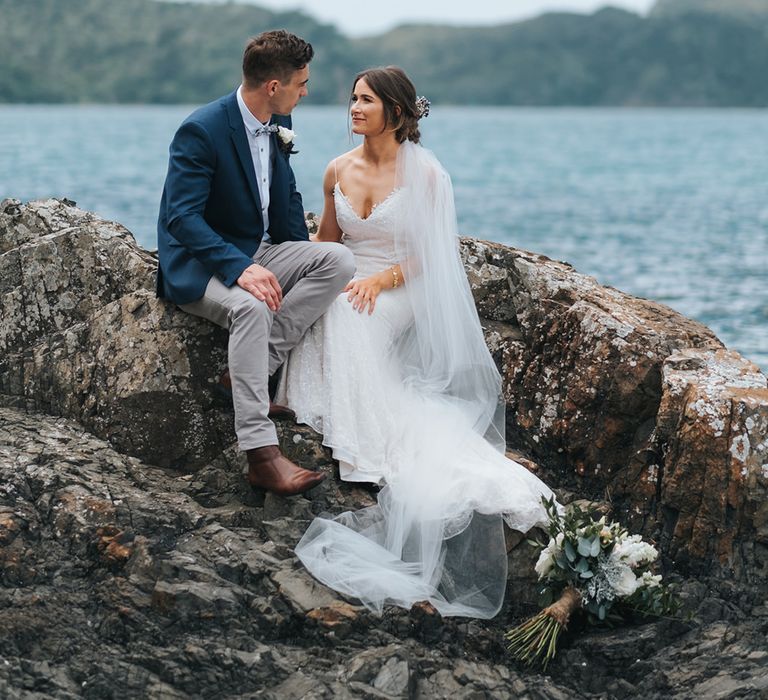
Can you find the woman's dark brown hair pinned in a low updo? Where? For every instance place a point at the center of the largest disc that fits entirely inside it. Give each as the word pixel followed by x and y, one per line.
pixel 395 89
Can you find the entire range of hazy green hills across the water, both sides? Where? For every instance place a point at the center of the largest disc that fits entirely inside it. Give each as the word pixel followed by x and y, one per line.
pixel 147 51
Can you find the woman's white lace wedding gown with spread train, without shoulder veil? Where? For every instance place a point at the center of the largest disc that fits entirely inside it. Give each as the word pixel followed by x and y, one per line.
pixel 436 532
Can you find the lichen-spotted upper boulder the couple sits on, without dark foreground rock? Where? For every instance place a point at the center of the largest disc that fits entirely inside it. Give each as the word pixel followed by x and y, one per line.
pixel 596 381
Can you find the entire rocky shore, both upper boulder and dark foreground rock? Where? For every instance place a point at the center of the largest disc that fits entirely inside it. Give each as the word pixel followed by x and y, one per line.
pixel 135 563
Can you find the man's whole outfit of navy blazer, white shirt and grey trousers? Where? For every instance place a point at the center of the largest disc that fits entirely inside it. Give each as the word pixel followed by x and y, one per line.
pixel 229 201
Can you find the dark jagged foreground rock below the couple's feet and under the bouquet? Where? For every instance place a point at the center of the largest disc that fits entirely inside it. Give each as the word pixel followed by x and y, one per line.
pixel 122 579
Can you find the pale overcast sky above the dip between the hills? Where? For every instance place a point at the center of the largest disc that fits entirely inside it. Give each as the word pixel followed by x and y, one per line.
pixel 361 17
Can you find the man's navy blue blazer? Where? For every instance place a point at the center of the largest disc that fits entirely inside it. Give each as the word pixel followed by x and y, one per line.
pixel 210 214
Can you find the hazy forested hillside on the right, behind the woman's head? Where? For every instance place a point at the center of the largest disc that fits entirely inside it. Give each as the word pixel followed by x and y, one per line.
pixel 612 57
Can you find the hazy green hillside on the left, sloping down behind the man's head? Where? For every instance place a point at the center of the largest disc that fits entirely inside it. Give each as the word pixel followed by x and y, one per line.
pixel 145 51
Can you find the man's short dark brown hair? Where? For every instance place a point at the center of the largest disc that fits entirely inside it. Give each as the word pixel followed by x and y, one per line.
pixel 272 55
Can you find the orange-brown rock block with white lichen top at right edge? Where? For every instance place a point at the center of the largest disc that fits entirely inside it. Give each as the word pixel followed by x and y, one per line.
pixel 712 426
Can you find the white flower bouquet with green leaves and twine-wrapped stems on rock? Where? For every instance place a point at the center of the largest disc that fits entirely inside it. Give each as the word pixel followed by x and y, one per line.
pixel 587 565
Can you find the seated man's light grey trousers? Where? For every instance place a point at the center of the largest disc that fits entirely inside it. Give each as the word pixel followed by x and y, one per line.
pixel 311 275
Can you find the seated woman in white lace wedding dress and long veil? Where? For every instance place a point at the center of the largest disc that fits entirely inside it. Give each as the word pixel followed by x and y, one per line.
pixel 398 379
